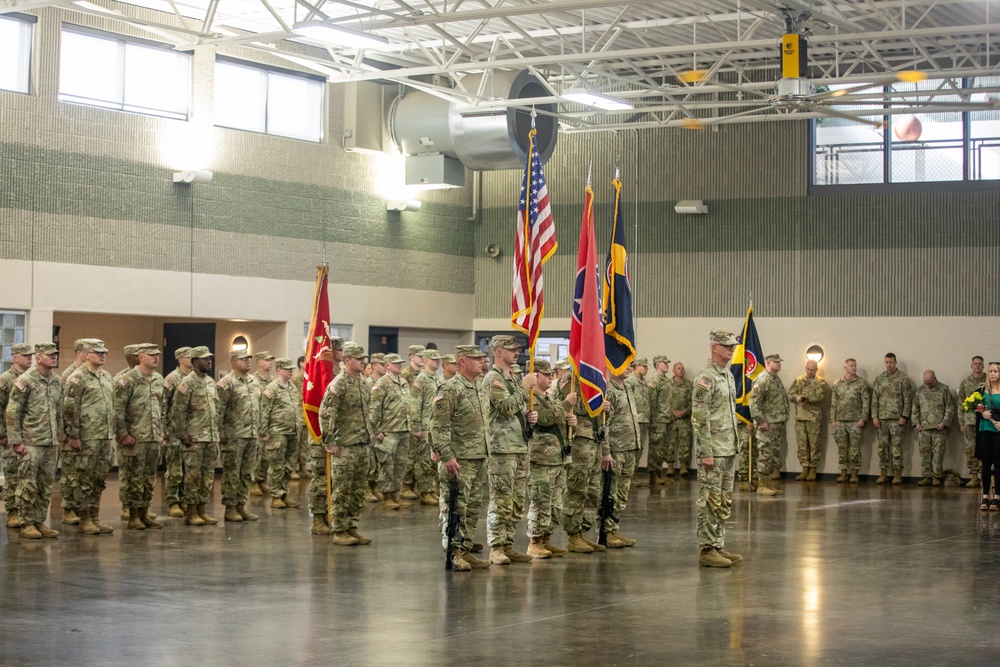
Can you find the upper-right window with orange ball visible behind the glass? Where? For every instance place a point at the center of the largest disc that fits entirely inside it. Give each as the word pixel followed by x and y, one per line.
pixel 950 145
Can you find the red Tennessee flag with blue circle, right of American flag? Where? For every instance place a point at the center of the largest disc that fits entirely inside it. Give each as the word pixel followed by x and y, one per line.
pixel 586 339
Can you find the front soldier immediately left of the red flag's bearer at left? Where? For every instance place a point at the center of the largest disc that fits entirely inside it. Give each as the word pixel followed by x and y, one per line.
pixel 279 408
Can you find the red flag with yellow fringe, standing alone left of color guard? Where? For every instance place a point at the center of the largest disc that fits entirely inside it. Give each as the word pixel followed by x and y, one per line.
pixel 319 371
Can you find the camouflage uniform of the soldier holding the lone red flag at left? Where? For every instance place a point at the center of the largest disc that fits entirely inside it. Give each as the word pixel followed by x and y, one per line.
pixel 344 416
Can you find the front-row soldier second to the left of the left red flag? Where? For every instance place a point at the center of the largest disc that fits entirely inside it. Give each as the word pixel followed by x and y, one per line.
pixel 238 410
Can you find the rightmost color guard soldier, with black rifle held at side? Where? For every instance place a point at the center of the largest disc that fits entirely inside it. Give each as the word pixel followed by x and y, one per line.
pixel 622 444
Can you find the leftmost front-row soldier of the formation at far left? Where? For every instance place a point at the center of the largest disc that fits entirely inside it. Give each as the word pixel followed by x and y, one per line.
pixel 34 419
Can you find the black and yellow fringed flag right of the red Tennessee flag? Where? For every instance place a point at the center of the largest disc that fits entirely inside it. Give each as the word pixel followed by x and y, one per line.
pixel 619 334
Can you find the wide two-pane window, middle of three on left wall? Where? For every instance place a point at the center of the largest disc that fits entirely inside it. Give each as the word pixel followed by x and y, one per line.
pixel 112 71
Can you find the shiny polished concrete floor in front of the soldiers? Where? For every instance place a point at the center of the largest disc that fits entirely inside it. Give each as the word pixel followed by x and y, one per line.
pixel 833 575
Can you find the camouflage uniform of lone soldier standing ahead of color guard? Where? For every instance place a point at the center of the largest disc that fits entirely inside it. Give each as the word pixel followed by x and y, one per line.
pixel 713 420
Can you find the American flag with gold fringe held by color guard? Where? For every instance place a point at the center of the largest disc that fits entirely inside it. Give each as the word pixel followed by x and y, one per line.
pixel 534 243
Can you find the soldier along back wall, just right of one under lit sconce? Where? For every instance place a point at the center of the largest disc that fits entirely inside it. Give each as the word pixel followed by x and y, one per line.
pixel 849 409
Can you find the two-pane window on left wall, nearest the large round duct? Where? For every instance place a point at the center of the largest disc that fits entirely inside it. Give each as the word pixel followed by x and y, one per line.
pixel 263 99
